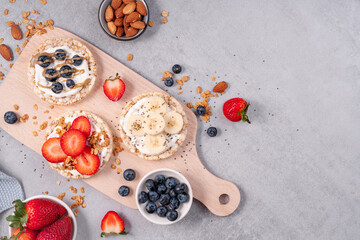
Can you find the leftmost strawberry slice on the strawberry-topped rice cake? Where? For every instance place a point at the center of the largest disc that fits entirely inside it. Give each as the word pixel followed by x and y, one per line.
pixel 52 152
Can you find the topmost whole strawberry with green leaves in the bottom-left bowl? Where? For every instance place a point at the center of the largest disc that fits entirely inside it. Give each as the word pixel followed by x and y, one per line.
pixel 36 214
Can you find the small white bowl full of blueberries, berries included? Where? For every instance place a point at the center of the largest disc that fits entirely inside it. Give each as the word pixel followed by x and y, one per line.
pixel 164 196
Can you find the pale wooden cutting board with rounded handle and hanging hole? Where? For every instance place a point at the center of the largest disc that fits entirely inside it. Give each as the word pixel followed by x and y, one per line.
pixel 16 89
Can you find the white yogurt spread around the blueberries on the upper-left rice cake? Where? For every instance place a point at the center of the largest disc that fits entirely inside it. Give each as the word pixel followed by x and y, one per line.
pixel 80 78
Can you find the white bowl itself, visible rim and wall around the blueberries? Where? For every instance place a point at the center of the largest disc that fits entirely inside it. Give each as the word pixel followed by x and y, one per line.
pixel 182 210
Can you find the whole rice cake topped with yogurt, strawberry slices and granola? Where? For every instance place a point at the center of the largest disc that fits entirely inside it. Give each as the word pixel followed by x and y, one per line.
pixel 78 144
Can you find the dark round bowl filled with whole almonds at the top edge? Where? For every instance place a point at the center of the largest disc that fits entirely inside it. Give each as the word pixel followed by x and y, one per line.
pixel 124 19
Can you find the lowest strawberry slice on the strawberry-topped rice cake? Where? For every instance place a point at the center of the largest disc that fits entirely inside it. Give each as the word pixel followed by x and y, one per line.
pixel 87 163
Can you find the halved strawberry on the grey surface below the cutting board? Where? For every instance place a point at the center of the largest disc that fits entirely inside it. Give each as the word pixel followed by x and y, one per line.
pixel 112 223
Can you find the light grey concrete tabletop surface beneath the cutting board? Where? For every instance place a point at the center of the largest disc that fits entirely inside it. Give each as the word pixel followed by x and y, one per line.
pixel 297 62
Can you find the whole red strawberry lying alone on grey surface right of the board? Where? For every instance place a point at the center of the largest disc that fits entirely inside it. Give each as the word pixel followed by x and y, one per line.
pixel 235 110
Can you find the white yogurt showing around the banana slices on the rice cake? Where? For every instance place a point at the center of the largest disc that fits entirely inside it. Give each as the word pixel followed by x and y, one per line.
pixel 138 141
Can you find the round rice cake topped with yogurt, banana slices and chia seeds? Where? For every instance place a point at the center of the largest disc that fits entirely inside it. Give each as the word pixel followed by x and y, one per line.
pixel 153 125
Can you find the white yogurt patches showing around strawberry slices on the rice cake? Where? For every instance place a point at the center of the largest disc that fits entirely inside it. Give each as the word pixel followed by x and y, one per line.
pixel 94 128
